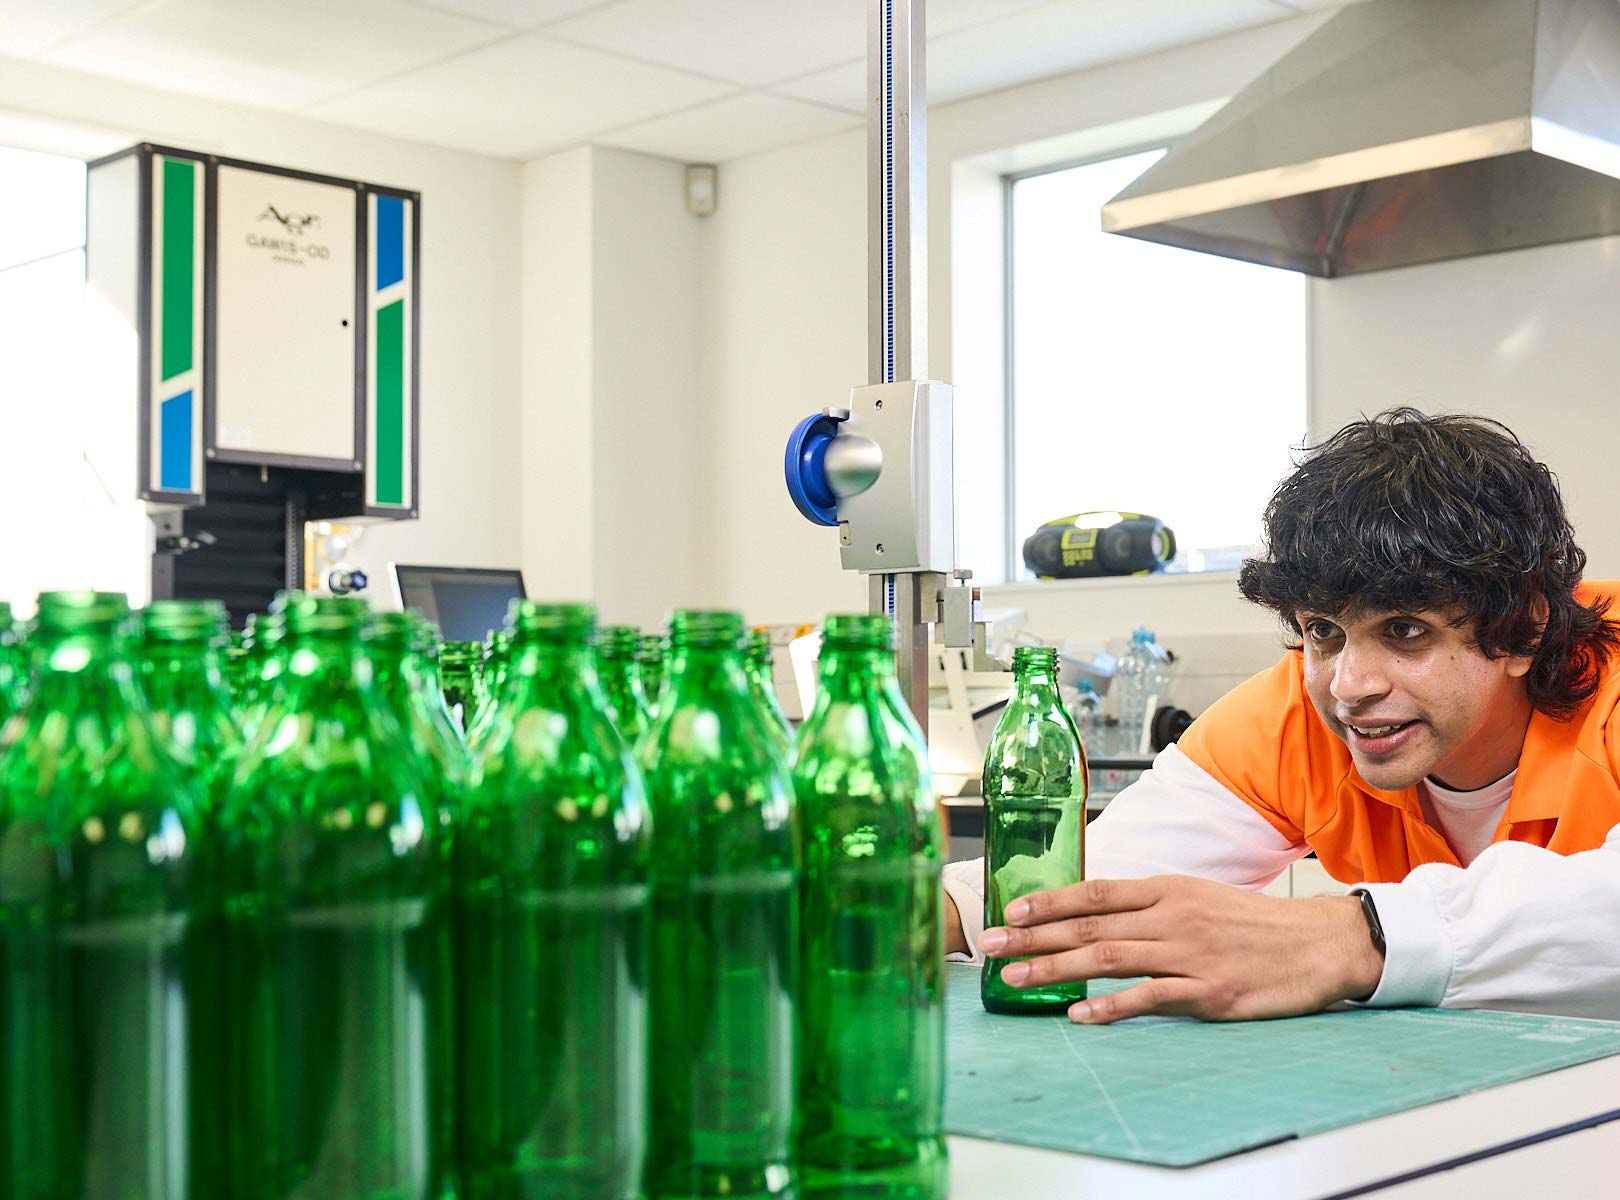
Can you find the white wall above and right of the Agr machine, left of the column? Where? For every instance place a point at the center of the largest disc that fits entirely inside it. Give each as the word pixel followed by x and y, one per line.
pixel 471 224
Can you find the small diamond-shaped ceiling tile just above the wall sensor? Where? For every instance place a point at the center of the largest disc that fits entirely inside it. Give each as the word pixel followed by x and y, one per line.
pixel 730 129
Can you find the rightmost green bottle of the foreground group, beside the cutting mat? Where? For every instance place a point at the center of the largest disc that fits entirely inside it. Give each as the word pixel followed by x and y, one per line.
pixel 872 1002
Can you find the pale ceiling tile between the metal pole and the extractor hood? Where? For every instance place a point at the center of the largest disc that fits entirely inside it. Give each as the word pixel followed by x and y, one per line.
pixel 1076 35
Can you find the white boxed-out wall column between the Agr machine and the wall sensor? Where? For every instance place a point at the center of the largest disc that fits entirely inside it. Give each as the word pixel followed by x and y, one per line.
pixel 615 498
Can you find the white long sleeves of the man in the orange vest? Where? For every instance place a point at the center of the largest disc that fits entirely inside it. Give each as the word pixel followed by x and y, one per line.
pixel 1519 929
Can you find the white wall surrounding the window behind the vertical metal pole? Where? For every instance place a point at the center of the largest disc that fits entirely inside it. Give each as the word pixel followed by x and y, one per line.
pixel 787 263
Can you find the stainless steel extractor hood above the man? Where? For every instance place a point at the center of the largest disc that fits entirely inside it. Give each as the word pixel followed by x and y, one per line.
pixel 1404 132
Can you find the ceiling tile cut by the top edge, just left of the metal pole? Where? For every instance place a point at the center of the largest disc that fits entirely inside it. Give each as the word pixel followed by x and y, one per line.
pixel 744 41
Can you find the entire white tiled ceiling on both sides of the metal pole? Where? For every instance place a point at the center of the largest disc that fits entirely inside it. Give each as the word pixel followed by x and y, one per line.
pixel 691 80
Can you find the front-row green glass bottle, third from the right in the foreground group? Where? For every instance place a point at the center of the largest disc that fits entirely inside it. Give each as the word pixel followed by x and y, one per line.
pixel 553 909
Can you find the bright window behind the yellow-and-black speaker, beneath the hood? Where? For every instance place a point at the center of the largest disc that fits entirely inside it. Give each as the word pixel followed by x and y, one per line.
pixel 1145 378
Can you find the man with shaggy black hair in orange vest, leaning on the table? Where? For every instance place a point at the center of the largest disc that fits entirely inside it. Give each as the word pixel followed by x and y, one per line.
pixel 1444 733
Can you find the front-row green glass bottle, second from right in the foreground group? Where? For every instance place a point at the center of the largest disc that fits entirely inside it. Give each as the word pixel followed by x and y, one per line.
pixel 725 929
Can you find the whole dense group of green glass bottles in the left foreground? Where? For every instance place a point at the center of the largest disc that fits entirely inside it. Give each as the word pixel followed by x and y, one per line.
pixel 788 982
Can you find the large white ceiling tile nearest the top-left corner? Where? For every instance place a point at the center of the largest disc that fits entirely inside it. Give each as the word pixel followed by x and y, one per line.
pixel 232 51
